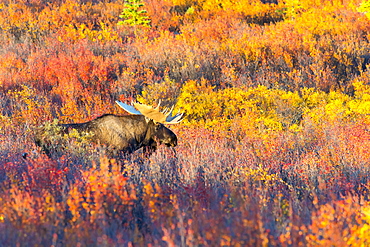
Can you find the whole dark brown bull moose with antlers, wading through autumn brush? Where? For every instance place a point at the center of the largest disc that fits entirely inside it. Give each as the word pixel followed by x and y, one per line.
pixel 144 128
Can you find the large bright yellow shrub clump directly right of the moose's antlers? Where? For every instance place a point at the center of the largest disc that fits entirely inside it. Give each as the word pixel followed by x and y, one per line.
pixel 259 109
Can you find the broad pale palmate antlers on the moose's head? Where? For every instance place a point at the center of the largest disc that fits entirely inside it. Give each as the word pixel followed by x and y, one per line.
pixel 164 117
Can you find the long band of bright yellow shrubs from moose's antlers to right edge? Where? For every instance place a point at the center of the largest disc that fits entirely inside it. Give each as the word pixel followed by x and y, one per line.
pixel 263 111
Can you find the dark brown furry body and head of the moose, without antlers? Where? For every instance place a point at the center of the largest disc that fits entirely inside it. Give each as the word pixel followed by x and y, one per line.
pixel 121 133
